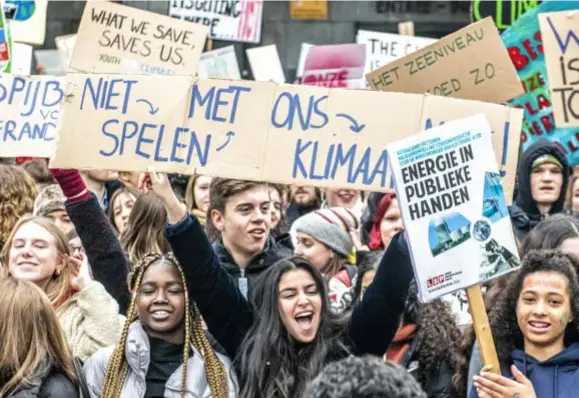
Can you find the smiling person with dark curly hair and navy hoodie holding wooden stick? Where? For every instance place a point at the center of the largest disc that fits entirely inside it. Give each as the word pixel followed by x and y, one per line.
pixel 534 325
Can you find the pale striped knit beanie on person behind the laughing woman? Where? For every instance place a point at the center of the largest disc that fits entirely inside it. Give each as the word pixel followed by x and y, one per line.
pixel 331 227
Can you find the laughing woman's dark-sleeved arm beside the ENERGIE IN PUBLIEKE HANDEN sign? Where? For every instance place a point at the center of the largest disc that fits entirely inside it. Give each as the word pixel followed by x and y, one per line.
pixel 376 319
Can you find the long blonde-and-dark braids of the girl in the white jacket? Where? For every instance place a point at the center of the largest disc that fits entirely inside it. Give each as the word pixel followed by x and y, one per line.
pixel 118 367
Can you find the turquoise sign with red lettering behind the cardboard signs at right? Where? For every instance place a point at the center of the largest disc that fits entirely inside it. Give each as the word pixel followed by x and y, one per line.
pixel 525 47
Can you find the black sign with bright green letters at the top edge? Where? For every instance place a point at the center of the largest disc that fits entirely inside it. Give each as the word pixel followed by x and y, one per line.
pixel 503 12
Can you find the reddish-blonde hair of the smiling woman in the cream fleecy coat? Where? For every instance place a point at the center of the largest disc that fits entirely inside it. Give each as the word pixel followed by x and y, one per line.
pixel 59 288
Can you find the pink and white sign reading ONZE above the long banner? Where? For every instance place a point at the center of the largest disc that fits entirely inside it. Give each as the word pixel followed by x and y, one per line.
pixel 335 65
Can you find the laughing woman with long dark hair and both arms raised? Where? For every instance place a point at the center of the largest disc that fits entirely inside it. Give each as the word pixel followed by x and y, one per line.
pixel 288 334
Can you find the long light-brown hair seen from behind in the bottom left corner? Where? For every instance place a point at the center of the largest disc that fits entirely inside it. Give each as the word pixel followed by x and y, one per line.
pixel 32 343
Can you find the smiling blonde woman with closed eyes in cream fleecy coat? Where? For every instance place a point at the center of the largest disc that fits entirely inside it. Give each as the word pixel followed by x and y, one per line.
pixel 38 251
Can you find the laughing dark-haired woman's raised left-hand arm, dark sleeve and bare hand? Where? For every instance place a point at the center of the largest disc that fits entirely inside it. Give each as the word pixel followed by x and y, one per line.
pixel 226 312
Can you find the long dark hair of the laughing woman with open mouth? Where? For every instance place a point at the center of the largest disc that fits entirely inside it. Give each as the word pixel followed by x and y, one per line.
pixel 289 365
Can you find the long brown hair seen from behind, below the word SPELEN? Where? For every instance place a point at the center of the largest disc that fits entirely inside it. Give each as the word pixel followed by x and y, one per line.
pixel 145 231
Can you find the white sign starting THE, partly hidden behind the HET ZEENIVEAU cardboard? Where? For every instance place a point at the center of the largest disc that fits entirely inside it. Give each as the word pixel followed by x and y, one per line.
pixel 383 48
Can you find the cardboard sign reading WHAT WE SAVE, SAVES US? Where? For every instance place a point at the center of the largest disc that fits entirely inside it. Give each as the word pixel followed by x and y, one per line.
pixel 113 38
